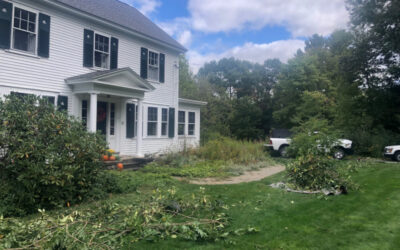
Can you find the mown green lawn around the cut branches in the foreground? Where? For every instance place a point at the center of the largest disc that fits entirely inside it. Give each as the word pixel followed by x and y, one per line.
pixel 368 218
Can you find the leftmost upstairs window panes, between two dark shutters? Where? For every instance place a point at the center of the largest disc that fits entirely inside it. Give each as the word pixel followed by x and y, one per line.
pixel 24 30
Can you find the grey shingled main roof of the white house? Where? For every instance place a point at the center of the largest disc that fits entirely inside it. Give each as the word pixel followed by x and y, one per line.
pixel 124 15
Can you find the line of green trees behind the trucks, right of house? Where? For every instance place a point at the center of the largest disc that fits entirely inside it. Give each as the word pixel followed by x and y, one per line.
pixel 349 80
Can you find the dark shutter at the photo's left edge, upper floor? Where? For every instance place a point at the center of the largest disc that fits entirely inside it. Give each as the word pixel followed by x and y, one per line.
pixel 5 24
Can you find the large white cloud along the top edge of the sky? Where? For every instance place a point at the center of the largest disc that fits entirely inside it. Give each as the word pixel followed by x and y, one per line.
pixel 300 17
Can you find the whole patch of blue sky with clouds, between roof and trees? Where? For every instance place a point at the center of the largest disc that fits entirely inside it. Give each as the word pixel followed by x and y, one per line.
pixel 253 30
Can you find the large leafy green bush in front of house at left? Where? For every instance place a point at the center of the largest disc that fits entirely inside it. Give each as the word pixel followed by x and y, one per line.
pixel 48 158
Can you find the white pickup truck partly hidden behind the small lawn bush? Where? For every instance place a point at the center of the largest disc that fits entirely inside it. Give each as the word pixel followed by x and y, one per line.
pixel 280 141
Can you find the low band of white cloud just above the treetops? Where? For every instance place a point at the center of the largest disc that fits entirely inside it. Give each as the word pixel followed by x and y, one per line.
pixel 258 53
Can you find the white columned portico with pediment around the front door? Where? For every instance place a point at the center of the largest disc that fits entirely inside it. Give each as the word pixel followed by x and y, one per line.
pixel 112 103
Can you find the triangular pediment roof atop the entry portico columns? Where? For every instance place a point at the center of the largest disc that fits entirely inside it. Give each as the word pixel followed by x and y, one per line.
pixel 120 82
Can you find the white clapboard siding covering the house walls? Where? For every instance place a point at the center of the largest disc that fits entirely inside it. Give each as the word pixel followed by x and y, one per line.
pixel 45 76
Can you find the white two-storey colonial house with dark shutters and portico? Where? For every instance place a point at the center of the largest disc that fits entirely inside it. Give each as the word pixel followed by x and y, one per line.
pixel 104 62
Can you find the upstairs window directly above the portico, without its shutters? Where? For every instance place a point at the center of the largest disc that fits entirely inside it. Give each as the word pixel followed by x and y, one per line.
pixel 102 51
